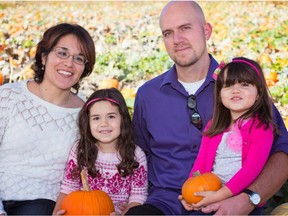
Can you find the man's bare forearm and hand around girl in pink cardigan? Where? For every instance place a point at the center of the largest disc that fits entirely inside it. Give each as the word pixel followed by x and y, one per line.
pixel 271 179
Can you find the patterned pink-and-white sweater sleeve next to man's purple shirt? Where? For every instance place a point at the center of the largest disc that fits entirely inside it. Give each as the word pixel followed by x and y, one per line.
pixel 139 179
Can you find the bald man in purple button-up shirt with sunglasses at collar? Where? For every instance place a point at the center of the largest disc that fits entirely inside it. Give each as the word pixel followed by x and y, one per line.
pixel 169 122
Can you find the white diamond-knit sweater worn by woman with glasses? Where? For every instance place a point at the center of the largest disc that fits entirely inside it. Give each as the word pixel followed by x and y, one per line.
pixel 35 140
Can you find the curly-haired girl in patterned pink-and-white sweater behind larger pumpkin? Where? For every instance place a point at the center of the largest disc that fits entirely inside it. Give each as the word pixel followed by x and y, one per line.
pixel 107 152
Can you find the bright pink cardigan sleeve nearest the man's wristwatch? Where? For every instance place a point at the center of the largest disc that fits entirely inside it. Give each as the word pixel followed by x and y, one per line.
pixel 258 148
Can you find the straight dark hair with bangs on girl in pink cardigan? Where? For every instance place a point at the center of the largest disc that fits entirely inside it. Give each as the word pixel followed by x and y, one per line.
pixel 241 70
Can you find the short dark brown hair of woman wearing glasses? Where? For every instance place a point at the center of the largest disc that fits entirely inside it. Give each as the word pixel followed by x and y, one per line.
pixel 52 36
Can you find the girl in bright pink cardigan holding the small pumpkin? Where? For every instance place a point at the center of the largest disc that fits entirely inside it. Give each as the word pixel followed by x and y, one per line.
pixel 238 139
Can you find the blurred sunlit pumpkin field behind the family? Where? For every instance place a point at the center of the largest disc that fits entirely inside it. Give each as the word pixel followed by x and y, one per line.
pixel 129 46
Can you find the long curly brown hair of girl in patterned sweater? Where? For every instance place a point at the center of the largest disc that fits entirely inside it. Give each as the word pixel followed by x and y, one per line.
pixel 87 150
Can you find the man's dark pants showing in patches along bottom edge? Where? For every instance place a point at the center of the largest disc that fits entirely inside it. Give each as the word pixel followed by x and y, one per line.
pixel 147 209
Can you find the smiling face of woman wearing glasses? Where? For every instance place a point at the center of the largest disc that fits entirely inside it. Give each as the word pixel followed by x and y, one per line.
pixel 61 72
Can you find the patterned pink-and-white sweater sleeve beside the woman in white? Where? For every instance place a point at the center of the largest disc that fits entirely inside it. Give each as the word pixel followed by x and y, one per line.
pixel 70 184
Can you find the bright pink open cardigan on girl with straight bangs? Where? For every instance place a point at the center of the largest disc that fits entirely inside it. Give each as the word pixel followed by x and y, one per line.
pixel 256 146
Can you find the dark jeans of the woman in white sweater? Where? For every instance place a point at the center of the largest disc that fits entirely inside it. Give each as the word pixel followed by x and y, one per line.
pixel 29 207
